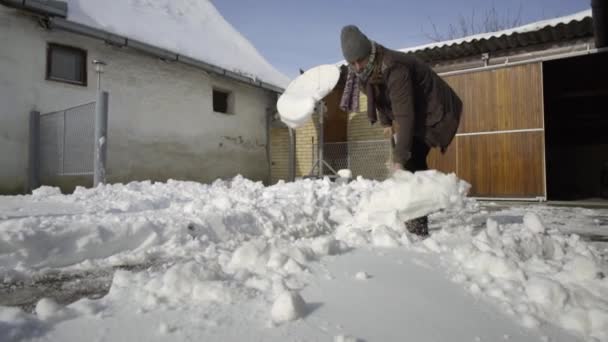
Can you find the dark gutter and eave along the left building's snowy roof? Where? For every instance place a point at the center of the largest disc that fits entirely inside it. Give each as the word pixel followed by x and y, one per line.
pixel 58 22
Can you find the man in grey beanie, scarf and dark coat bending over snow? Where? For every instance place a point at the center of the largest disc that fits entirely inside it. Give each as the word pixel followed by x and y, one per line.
pixel 404 94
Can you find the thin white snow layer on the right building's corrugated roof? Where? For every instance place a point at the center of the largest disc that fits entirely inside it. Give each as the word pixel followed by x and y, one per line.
pixel 535 26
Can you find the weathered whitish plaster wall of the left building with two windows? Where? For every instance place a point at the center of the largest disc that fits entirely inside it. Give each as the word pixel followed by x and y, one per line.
pixel 161 122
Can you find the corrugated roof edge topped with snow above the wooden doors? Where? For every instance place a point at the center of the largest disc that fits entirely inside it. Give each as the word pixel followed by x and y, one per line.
pixel 577 25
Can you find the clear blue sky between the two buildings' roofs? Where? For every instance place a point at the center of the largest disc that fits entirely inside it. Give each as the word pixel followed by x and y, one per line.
pixel 301 34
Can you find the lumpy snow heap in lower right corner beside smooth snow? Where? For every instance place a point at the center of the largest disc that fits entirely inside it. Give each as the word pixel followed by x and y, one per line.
pixel 536 274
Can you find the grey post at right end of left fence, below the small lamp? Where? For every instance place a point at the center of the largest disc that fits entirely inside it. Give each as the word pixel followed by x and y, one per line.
pixel 101 137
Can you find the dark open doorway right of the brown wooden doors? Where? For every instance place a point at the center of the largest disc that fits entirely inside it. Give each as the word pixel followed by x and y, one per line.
pixel 576 127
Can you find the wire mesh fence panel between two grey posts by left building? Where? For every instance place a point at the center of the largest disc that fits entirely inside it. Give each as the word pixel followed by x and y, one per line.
pixel 67 141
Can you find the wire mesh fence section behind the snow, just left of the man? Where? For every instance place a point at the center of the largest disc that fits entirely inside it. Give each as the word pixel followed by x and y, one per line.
pixel 364 158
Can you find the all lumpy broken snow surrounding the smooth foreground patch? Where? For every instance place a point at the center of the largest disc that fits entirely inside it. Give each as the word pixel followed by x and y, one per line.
pixel 235 241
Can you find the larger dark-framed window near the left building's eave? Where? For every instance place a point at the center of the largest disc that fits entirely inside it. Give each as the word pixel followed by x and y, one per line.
pixel 66 64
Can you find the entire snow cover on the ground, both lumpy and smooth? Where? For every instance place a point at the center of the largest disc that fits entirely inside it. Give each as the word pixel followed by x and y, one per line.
pixel 305 261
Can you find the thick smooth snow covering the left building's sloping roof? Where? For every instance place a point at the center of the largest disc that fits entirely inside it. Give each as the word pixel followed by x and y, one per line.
pixel 192 28
